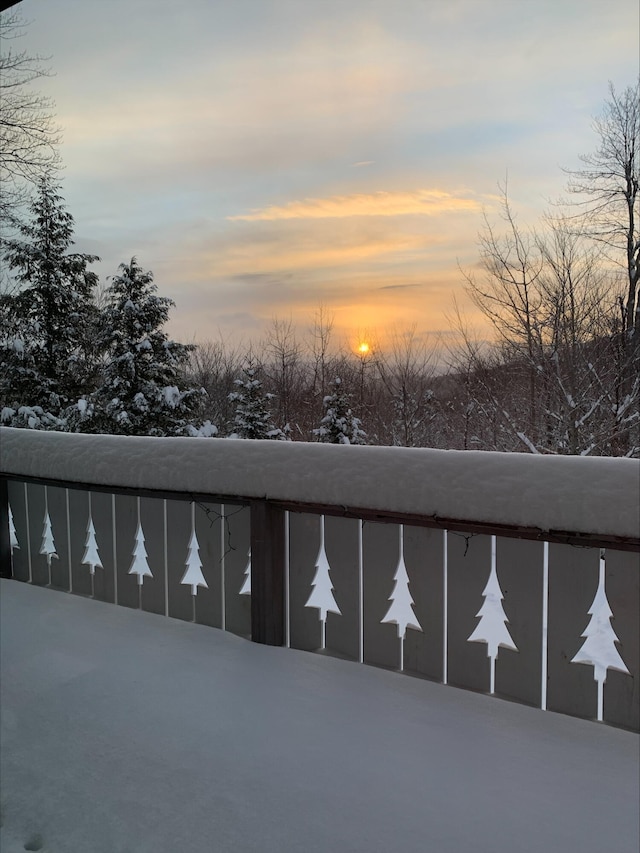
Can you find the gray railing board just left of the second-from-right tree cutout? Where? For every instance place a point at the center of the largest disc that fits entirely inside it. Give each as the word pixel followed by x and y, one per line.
pixel 469 564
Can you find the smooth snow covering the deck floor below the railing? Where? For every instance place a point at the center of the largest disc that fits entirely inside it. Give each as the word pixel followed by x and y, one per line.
pixel 126 731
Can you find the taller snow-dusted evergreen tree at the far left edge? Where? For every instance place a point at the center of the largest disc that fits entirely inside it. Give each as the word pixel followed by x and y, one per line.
pixel 47 350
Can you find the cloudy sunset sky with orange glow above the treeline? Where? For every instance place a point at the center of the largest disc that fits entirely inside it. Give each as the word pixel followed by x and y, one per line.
pixel 264 157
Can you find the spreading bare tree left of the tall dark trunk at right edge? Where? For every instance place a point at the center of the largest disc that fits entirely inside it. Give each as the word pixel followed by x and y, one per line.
pixel 554 378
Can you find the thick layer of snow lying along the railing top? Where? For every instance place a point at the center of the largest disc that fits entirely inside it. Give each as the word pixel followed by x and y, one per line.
pixel 587 495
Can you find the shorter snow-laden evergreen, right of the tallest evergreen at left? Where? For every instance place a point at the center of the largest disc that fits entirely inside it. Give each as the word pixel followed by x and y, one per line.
pixel 142 390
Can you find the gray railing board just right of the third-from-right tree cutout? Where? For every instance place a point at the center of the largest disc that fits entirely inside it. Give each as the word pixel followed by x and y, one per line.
pixel 423 554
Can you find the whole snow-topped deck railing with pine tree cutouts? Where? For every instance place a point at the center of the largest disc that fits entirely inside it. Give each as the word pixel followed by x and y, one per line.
pixel 505 573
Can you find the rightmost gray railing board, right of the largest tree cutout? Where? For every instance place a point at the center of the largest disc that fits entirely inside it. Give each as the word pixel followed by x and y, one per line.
pixel 622 691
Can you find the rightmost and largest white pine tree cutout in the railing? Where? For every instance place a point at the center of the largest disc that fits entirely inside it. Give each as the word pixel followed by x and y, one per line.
pixel 599 648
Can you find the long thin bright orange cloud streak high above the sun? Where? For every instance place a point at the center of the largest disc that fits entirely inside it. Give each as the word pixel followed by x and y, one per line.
pixel 422 202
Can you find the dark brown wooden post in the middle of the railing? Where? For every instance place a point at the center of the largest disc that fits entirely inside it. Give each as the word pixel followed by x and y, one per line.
pixel 267 574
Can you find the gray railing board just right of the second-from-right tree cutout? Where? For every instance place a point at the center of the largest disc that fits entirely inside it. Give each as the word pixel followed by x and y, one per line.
pixel 519 566
